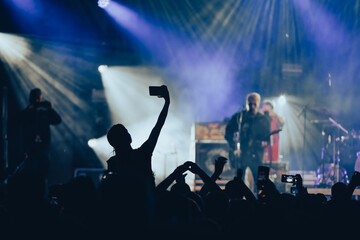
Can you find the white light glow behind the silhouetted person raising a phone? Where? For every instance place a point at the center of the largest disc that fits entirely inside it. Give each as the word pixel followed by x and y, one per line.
pixel 127 93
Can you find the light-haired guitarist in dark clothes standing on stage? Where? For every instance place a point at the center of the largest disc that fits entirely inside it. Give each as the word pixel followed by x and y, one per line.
pixel 247 134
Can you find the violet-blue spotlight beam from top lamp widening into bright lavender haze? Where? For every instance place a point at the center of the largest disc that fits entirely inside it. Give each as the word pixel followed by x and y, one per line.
pixel 206 77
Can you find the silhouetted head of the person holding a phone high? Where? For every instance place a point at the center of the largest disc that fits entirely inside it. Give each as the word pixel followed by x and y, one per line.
pixel 118 136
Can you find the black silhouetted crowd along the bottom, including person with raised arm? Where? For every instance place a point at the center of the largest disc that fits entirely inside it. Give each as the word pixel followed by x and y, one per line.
pixel 127 204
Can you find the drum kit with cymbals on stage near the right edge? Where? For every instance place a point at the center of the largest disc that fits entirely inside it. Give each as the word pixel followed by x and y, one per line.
pixel 338 144
